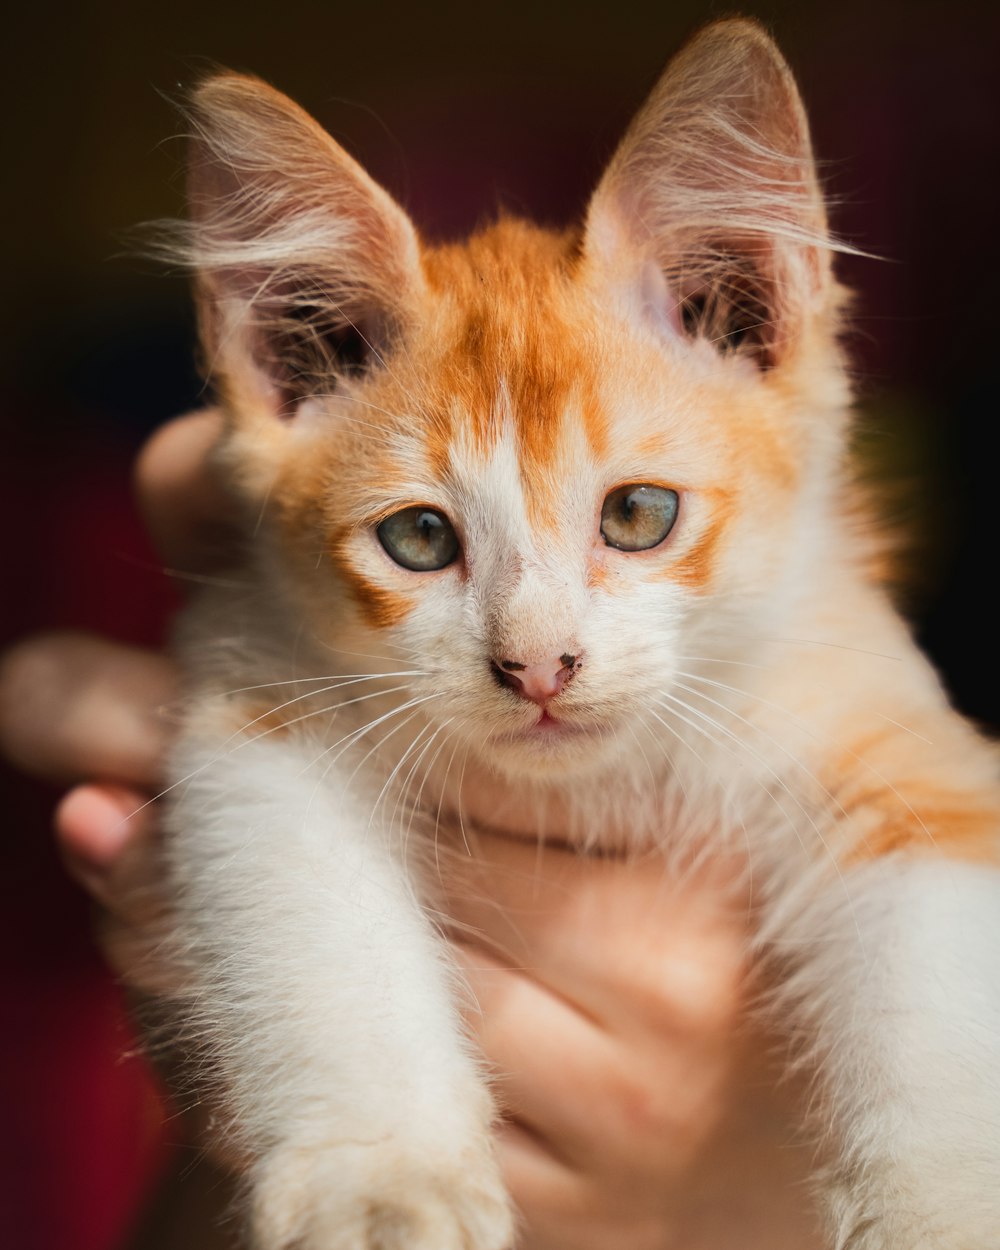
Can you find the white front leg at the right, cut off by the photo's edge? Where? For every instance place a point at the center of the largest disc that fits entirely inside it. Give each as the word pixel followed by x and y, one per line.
pixel 902 989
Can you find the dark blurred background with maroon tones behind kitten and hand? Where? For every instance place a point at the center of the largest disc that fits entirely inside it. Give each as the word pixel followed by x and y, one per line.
pixel 457 109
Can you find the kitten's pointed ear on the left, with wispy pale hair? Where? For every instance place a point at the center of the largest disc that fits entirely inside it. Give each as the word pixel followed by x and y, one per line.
pixel 303 263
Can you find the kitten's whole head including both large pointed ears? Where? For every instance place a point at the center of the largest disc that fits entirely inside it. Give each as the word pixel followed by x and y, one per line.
pixel 547 472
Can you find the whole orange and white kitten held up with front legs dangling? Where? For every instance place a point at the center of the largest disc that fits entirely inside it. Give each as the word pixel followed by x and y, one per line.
pixel 557 532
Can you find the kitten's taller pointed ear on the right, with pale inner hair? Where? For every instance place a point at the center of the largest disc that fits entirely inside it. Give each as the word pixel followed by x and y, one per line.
pixel 712 203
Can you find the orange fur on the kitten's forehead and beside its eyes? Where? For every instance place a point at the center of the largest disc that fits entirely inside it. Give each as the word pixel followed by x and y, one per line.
pixel 511 339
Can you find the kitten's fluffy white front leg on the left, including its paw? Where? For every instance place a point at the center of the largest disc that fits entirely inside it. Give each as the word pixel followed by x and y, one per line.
pixel 324 998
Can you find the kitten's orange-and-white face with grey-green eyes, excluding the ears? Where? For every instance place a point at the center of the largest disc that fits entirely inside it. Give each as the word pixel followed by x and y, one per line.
pixel 463 506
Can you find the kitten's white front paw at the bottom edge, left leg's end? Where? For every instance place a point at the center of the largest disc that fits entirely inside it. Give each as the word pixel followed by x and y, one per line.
pixel 381 1198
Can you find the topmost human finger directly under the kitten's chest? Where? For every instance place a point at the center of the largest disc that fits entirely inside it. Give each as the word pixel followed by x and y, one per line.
pixel 592 927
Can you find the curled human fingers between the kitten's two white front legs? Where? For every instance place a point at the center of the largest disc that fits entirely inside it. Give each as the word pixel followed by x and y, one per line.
pixel 607 997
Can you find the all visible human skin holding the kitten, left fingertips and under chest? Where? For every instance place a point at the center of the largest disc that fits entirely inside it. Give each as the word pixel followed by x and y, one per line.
pixel 638 1107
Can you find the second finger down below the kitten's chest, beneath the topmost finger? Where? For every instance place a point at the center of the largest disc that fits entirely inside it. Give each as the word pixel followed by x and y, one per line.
pixel 627 1108
